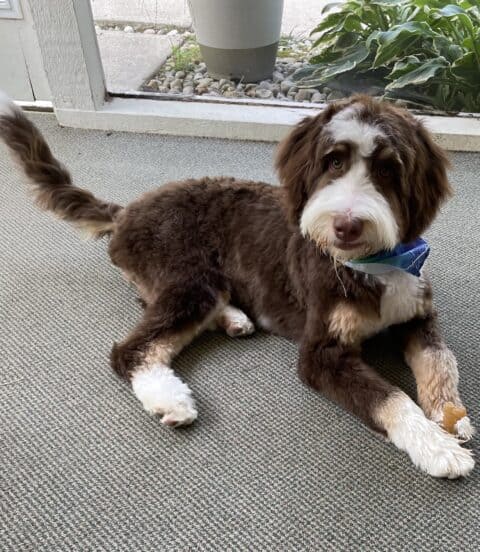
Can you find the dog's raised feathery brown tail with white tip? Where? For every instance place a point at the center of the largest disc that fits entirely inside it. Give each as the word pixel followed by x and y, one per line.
pixel 51 182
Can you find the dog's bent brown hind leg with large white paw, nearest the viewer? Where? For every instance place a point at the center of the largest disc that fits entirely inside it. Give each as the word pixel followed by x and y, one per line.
pixel 145 356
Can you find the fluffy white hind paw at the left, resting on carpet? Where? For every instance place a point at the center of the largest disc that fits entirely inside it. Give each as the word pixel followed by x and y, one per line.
pixel 162 392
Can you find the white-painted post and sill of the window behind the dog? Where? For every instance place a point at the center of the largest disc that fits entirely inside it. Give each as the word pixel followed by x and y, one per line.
pixel 74 70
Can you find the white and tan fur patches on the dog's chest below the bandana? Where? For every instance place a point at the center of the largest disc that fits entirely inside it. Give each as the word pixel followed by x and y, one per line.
pixel 403 298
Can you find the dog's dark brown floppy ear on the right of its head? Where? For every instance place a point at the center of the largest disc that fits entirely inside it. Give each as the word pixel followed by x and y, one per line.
pixel 430 187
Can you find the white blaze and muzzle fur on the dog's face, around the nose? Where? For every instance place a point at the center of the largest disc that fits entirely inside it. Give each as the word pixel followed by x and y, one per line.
pixel 353 194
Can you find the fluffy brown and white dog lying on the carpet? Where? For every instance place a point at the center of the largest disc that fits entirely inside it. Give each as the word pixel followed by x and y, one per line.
pixel 360 177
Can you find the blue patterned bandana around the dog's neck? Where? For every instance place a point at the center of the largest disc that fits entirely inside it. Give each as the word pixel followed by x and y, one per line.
pixel 408 257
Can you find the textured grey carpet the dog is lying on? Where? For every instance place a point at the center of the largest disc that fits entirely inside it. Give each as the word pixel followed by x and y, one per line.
pixel 269 465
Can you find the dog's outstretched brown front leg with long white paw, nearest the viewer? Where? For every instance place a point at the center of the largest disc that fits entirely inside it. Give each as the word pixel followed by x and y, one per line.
pixel 339 373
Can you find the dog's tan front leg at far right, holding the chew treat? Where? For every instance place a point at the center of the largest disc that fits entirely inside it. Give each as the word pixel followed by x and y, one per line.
pixel 435 369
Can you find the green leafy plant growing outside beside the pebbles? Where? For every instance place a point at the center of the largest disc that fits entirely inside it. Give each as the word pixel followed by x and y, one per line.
pixel 425 52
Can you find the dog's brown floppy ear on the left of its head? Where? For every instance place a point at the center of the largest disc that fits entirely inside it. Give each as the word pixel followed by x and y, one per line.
pixel 296 164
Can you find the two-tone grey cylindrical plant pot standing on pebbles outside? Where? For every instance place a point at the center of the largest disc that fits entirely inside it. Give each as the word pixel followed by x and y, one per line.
pixel 238 38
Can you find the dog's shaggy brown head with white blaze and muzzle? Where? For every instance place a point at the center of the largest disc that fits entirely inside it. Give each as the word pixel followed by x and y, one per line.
pixel 361 177
